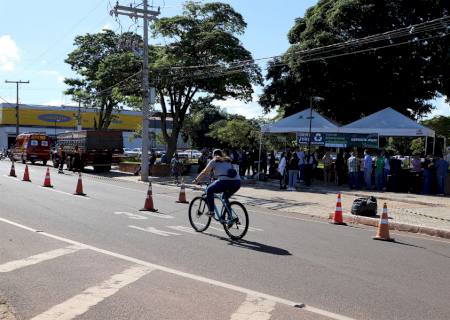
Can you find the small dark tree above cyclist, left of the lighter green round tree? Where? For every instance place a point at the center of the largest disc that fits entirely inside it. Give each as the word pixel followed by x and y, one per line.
pixel 202 114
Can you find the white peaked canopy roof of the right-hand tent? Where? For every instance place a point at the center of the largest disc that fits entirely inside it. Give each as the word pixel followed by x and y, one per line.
pixel 388 122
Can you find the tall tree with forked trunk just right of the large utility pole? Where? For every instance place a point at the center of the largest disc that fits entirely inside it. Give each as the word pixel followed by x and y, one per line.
pixel 205 35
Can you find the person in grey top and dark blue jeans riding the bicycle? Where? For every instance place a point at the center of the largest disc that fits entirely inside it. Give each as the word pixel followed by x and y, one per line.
pixel 228 183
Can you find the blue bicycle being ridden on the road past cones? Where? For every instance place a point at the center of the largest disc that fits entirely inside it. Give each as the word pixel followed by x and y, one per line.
pixel 232 215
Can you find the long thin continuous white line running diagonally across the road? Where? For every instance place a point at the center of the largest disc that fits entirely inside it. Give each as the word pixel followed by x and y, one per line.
pixel 181 273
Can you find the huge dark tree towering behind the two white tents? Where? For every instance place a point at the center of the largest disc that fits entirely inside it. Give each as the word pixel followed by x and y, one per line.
pixel 404 77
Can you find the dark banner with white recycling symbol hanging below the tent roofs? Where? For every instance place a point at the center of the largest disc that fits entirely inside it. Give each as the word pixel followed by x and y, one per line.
pixel 339 140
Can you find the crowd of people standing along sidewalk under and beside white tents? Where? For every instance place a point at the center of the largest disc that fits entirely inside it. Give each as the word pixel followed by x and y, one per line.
pixel 367 169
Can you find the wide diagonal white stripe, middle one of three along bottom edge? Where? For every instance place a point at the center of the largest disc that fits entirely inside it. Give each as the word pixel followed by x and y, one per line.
pixel 90 297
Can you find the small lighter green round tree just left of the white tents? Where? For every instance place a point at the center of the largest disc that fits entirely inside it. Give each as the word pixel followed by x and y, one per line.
pixel 236 132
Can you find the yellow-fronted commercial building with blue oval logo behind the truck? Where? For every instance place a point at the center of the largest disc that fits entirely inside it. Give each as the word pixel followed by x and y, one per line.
pixel 54 120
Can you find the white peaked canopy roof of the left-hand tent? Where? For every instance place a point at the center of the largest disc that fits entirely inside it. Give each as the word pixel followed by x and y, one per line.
pixel 299 122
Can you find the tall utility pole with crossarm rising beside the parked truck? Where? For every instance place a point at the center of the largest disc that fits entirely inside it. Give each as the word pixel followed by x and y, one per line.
pixel 146 15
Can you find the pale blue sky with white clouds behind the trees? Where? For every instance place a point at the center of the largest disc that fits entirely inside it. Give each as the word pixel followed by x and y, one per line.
pixel 35 37
